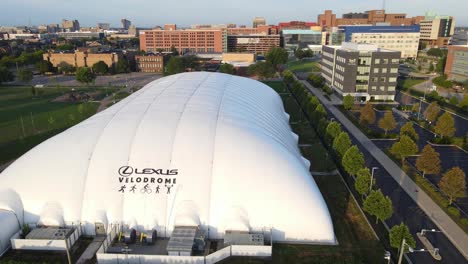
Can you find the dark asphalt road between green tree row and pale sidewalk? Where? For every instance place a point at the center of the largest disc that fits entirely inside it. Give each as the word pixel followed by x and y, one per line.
pixel 406 210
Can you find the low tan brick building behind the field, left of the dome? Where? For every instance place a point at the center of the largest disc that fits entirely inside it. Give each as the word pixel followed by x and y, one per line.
pixel 82 58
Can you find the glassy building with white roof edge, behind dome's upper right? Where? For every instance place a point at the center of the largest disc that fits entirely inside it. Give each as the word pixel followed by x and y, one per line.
pixel 293 39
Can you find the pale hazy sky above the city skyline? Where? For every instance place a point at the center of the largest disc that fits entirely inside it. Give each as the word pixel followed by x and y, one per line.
pixel 186 12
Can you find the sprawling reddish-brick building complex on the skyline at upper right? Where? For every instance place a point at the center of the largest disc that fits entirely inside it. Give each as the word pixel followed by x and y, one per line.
pixel 371 17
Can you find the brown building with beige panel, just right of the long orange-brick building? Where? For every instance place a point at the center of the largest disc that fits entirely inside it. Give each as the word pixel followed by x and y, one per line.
pixel 254 43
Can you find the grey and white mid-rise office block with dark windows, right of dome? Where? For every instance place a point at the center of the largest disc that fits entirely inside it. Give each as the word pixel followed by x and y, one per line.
pixel 363 71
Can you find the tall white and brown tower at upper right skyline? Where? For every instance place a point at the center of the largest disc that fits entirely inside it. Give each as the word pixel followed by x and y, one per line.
pixel 436 30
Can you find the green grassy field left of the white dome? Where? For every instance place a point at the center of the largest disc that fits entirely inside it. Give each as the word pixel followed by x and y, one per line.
pixel 27 120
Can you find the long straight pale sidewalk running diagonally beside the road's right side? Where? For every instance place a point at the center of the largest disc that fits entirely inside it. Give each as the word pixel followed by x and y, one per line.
pixel 453 232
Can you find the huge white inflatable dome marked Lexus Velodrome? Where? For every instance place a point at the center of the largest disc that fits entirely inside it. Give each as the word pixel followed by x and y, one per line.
pixel 206 149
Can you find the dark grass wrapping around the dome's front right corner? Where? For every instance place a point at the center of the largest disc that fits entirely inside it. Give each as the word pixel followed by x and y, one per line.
pixel 357 243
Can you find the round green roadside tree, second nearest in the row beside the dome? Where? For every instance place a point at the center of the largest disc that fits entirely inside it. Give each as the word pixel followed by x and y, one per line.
pixel 378 205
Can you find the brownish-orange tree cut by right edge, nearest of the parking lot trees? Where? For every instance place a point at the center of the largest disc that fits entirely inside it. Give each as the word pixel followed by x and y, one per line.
pixel 453 184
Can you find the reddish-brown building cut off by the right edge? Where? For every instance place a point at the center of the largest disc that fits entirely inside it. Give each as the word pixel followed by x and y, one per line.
pixel 456 67
